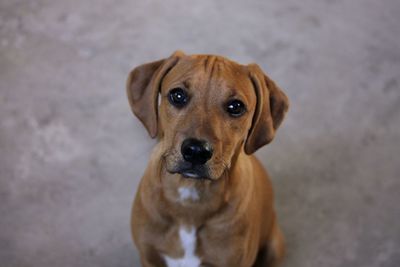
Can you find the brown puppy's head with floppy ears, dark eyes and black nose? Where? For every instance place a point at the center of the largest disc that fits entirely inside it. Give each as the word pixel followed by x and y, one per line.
pixel 205 110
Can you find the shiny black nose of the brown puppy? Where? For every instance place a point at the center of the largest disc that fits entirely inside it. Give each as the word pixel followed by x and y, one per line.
pixel 196 151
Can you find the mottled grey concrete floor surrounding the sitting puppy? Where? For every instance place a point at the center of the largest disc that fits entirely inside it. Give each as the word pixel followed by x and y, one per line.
pixel 72 154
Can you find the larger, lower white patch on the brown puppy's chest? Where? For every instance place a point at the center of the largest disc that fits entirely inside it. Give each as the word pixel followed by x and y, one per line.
pixel 188 242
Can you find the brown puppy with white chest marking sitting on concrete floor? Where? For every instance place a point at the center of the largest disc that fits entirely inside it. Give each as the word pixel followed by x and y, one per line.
pixel 204 200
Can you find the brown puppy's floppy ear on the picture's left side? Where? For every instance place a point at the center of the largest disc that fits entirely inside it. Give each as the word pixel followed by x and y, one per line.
pixel 143 86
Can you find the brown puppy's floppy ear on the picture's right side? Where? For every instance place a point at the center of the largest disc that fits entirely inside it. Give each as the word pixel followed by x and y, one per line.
pixel 272 104
